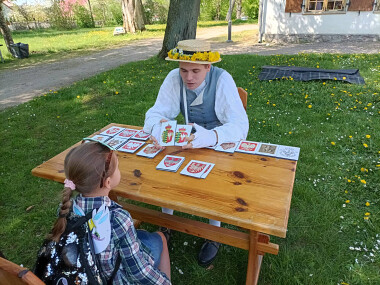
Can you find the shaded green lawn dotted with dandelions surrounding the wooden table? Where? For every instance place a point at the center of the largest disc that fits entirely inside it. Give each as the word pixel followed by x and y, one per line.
pixel 334 225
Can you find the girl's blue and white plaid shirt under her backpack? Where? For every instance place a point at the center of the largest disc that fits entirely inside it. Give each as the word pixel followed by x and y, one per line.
pixel 137 263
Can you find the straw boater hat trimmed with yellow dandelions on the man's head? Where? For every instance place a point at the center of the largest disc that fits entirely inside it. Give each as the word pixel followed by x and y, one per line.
pixel 194 51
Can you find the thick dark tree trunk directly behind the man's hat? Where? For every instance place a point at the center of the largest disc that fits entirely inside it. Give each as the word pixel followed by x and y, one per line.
pixel 181 24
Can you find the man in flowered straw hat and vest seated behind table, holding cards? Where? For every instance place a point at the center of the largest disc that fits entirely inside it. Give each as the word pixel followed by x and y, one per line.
pixel 207 97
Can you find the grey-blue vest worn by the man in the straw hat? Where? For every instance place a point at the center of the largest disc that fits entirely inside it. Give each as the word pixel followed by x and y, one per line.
pixel 203 114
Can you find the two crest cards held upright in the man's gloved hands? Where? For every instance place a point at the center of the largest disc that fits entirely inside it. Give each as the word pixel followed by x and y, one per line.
pixel 173 134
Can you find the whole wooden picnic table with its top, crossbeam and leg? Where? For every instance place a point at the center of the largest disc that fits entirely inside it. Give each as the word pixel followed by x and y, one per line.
pixel 252 192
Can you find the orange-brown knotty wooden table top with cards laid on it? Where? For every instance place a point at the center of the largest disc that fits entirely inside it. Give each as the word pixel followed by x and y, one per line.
pixel 250 191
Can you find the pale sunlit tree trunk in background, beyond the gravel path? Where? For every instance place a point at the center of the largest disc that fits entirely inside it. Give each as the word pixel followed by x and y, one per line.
pixel 133 19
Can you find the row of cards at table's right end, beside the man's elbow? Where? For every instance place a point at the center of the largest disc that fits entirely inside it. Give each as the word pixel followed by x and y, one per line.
pixel 279 151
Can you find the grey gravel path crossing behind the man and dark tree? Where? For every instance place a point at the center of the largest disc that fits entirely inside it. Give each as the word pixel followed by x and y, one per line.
pixel 22 84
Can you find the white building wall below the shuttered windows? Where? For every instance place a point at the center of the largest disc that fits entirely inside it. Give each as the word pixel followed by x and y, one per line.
pixel 277 22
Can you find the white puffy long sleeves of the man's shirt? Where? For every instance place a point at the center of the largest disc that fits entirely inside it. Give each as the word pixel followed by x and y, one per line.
pixel 228 107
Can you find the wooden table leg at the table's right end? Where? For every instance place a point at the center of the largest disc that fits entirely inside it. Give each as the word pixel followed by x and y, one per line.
pixel 254 259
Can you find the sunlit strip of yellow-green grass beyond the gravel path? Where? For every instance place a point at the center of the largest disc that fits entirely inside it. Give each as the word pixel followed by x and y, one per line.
pixel 51 44
